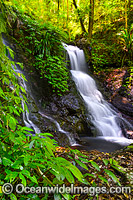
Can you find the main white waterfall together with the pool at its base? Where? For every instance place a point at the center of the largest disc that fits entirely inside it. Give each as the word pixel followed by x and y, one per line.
pixel 107 122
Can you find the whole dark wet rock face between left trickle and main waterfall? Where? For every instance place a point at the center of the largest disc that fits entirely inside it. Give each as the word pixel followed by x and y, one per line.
pixel 68 110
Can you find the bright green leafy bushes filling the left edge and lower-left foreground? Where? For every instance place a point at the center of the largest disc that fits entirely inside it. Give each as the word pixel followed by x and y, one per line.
pixel 25 159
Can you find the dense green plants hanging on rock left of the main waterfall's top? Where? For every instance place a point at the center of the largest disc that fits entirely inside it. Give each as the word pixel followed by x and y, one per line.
pixel 42 43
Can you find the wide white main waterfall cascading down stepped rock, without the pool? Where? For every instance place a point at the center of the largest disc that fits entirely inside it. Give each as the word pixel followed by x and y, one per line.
pixel 103 117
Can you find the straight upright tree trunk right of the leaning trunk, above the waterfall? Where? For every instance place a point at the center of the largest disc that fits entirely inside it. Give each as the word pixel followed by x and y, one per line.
pixel 91 19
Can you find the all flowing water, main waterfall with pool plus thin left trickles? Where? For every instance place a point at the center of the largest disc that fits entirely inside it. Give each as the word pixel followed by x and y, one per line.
pixel 107 122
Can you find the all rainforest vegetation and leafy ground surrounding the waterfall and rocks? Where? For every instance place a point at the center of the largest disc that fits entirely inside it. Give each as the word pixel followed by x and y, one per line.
pixel 104 29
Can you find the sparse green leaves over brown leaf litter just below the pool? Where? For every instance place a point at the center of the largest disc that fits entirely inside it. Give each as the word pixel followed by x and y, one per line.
pixel 99 172
